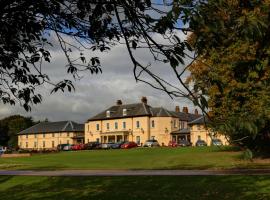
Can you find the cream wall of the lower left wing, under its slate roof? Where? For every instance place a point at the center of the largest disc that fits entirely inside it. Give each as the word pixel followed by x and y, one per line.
pixel 59 138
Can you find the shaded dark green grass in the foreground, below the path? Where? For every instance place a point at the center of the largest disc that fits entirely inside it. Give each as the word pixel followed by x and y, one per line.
pixel 143 187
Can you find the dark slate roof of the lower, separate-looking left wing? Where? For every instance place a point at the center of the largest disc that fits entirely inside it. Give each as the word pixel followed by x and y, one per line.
pixel 52 127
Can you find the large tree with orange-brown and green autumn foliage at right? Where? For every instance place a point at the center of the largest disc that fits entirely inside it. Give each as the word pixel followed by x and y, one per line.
pixel 232 69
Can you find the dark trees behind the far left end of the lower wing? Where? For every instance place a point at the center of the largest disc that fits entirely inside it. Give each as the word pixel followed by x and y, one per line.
pixel 10 126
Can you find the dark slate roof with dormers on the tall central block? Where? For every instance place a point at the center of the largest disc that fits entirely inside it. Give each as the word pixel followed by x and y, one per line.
pixel 141 109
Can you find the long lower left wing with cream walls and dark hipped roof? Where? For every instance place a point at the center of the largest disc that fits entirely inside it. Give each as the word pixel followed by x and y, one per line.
pixel 47 135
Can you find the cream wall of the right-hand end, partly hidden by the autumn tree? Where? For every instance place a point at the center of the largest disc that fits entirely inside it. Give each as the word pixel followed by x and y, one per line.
pixel 200 130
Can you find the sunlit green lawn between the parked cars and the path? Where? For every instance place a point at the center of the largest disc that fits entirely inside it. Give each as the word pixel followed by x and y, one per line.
pixel 140 158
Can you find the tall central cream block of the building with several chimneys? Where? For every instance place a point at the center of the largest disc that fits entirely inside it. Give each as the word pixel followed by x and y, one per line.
pixel 139 122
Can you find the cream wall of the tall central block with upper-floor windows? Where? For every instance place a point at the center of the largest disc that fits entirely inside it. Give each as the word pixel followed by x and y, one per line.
pixel 161 132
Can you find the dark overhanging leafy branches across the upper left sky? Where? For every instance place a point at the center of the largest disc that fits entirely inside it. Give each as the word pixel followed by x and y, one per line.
pixel 26 27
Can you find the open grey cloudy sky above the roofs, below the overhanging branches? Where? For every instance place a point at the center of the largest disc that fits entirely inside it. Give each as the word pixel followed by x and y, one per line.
pixel 97 92
